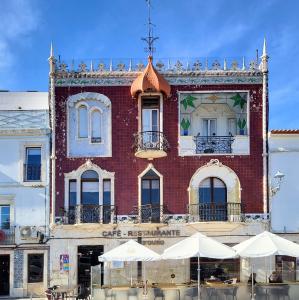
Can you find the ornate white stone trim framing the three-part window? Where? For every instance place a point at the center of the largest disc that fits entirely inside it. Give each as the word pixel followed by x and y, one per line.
pixel 76 175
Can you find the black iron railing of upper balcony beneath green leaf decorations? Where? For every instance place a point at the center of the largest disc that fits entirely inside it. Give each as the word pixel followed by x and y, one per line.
pixel 213 144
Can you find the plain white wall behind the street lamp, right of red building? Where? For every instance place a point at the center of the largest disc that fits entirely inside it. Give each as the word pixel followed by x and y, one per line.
pixel 284 157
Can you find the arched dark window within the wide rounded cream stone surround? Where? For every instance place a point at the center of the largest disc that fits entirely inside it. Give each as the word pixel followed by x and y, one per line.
pixel 212 200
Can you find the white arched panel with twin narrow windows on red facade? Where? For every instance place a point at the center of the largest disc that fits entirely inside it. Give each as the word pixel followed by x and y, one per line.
pixel 89 125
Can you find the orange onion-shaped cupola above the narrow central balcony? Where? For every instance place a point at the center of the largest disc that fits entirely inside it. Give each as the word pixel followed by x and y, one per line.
pixel 150 81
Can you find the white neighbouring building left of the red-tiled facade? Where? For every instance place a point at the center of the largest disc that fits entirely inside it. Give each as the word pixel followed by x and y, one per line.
pixel 24 193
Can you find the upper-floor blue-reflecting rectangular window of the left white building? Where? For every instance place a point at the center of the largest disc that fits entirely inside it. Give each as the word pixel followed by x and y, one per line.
pixel 32 168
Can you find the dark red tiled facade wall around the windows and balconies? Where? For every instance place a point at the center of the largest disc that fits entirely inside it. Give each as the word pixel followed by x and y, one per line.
pixel 177 171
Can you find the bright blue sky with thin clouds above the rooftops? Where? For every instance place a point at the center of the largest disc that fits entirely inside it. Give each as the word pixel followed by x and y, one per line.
pixel 187 28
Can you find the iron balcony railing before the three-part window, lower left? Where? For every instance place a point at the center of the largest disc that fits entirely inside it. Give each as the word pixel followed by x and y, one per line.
pixel 104 214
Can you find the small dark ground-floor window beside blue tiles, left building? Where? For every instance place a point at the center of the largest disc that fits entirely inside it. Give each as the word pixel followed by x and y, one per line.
pixel 35 268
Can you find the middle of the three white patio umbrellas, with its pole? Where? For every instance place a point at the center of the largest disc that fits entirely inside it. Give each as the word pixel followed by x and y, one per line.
pixel 201 246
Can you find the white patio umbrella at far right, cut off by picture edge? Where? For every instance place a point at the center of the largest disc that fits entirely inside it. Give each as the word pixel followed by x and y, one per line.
pixel 266 244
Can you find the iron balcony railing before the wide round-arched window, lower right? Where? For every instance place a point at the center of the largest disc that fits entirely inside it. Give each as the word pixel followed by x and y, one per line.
pixel 205 212
